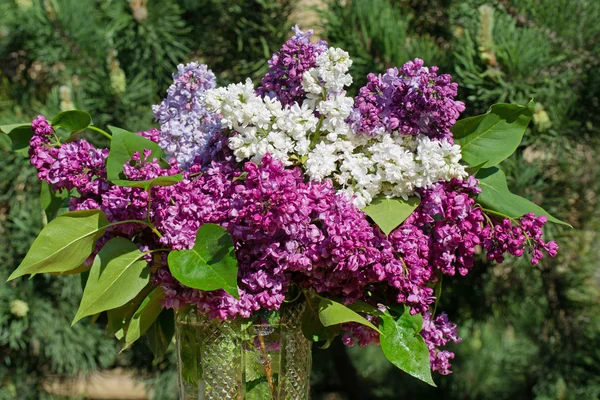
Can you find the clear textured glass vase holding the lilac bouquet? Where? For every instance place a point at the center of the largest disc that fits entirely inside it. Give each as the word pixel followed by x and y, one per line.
pixel 265 359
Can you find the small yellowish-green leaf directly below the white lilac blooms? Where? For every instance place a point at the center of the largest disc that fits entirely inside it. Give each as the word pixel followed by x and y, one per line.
pixel 388 213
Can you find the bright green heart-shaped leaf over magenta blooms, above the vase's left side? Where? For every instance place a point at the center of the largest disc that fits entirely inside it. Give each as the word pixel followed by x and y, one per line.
pixel 210 264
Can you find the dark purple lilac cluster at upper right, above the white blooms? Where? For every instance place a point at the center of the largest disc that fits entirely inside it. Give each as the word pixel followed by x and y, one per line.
pixel 413 100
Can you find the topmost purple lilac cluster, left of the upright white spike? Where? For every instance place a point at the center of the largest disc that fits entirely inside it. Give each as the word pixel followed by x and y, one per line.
pixel 297 55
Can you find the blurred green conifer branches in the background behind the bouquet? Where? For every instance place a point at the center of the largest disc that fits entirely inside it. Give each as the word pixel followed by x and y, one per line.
pixel 529 332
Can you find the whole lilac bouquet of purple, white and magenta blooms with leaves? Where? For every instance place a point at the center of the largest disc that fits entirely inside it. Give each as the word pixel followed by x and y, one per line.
pixel 251 197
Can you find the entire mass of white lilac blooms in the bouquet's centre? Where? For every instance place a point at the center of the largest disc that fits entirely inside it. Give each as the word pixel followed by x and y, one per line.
pixel 316 134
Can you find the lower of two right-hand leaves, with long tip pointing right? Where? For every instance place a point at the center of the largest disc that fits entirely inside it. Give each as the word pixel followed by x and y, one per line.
pixel 495 196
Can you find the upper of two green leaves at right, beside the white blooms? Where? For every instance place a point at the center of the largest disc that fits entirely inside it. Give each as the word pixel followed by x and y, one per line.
pixel 490 138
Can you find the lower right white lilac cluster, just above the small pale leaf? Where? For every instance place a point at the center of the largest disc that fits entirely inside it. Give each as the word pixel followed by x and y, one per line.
pixel 392 165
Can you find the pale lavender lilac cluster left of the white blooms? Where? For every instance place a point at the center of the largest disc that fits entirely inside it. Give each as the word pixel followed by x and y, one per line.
pixel 189 132
